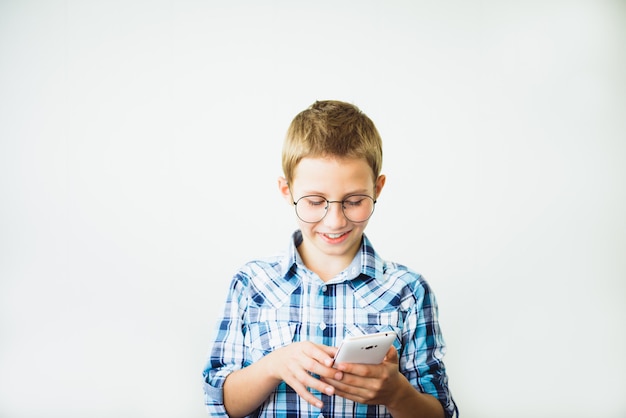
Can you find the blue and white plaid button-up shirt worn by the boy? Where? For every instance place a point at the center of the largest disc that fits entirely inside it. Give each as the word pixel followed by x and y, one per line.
pixel 274 302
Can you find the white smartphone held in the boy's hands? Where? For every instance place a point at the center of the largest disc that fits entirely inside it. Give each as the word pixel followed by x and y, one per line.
pixel 365 349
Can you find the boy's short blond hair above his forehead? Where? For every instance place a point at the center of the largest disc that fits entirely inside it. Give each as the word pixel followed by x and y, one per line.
pixel 332 129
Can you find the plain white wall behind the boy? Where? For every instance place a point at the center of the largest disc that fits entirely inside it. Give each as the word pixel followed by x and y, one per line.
pixel 139 150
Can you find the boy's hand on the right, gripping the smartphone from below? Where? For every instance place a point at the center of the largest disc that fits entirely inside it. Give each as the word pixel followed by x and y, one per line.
pixel 373 384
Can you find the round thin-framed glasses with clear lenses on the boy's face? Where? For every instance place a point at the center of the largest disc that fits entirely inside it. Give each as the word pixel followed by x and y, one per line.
pixel 313 208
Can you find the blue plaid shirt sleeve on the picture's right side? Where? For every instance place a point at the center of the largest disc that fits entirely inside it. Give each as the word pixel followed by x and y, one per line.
pixel 424 348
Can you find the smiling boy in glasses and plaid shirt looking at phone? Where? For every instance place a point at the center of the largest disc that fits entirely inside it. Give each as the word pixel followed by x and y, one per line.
pixel 284 316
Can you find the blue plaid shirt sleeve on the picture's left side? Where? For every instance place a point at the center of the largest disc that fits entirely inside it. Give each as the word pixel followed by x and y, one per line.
pixel 228 352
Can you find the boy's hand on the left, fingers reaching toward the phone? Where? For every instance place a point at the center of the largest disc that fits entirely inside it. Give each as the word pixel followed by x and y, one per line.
pixel 296 364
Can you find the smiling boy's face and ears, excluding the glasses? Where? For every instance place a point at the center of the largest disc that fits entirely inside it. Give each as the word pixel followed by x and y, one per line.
pixel 334 239
